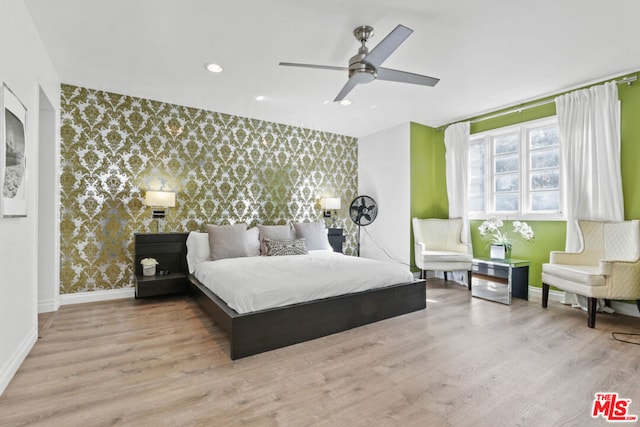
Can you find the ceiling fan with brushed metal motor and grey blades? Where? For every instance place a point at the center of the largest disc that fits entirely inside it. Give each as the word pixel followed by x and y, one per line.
pixel 364 67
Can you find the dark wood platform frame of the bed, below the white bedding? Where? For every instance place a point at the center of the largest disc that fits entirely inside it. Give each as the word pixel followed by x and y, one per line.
pixel 265 330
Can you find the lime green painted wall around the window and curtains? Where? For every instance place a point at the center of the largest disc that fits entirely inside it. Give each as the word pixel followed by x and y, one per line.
pixel 428 182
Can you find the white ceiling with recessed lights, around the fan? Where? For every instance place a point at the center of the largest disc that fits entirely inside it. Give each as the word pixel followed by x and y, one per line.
pixel 488 54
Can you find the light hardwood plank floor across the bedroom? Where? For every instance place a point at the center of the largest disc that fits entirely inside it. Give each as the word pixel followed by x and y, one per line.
pixel 462 362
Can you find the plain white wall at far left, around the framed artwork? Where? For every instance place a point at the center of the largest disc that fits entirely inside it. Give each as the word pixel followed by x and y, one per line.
pixel 25 67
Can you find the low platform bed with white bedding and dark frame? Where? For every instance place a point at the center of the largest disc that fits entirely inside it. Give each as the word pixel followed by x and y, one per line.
pixel 282 300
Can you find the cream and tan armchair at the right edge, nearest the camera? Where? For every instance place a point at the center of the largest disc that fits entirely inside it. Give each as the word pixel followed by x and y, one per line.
pixel 607 266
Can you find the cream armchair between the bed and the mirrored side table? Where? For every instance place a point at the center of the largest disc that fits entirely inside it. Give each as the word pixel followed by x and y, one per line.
pixel 439 247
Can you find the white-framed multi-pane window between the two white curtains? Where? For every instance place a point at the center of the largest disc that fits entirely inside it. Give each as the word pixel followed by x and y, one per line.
pixel 515 171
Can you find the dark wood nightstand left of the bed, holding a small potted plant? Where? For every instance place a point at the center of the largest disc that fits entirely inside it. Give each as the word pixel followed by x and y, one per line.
pixel 170 250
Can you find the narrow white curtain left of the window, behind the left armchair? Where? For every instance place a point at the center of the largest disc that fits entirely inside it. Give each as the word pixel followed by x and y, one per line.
pixel 456 141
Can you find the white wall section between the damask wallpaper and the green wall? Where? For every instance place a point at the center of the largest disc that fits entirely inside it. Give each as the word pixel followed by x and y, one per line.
pixel 384 174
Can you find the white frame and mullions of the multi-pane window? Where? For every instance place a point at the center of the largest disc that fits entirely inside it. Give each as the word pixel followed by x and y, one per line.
pixel 524 212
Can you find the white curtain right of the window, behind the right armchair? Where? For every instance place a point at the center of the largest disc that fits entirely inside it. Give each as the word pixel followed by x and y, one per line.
pixel 589 123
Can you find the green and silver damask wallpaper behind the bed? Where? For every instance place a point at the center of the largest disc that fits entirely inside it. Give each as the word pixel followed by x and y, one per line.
pixel 224 169
